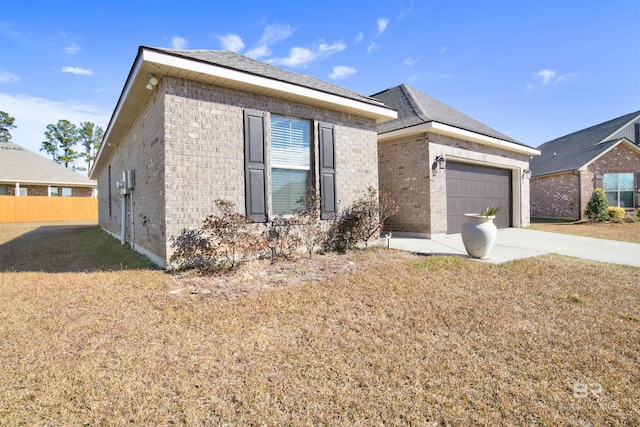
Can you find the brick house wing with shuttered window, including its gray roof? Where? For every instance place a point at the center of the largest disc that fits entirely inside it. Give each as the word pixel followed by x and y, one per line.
pixel 194 126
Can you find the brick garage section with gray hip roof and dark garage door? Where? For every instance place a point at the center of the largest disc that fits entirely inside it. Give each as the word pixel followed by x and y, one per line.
pixel 482 167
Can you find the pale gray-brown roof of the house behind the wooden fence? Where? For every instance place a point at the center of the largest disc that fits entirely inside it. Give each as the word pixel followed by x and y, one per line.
pixel 17 164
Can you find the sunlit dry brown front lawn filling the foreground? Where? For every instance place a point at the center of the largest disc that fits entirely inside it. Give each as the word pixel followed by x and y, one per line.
pixel 375 337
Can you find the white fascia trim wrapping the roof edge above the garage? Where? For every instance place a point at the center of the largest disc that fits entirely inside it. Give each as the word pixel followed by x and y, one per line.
pixel 466 135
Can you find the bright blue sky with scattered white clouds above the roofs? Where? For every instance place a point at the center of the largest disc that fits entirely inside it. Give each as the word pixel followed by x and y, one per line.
pixel 533 70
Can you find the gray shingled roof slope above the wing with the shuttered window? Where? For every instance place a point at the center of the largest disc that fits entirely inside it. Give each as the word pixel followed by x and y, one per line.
pixel 235 61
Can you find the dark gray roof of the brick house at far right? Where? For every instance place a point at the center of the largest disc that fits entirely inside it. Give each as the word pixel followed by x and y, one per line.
pixel 573 151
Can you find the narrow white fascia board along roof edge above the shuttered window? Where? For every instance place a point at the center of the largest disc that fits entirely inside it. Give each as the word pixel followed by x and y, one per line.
pixel 265 82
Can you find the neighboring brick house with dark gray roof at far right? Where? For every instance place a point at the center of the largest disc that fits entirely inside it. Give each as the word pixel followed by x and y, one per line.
pixel 570 168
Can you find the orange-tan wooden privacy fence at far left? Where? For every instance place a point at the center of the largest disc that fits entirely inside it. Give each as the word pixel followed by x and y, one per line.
pixel 50 209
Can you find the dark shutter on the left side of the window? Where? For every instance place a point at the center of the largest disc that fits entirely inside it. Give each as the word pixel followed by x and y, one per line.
pixel 255 165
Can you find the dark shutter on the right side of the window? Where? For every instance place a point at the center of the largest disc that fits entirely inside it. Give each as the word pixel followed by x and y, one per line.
pixel 326 137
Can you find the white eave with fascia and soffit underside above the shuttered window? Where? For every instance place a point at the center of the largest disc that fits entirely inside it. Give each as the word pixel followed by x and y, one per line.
pixel 183 67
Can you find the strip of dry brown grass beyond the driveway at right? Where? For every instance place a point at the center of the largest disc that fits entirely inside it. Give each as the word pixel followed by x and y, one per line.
pixel 625 232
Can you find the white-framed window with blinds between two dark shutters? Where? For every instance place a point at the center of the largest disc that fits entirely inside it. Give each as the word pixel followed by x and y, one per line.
pixel 290 162
